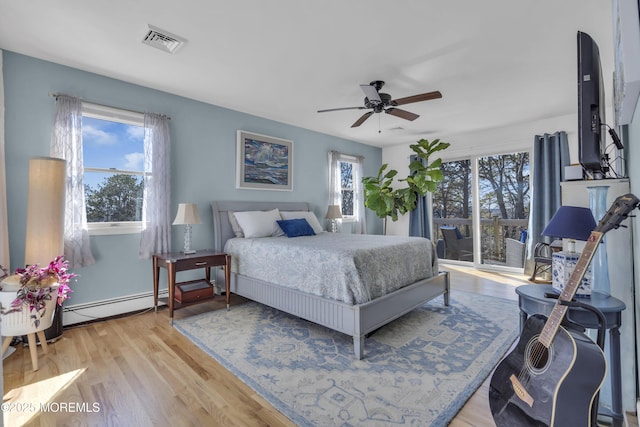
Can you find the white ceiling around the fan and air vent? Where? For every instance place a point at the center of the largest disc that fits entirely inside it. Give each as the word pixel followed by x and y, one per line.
pixel 497 62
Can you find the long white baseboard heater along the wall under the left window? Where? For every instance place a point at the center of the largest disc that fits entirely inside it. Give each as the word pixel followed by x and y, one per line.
pixel 97 310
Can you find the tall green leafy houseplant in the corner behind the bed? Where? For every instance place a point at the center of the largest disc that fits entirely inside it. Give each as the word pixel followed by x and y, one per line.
pixel 423 177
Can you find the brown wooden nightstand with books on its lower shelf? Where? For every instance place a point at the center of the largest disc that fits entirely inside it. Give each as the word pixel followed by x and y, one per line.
pixel 178 261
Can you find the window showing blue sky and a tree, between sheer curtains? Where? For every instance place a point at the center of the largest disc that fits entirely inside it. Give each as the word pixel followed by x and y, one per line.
pixel 113 157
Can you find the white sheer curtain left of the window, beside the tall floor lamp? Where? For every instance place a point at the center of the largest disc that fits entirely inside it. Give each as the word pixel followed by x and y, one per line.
pixel 66 143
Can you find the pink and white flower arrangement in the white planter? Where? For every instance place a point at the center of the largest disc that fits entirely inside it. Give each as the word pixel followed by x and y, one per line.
pixel 37 287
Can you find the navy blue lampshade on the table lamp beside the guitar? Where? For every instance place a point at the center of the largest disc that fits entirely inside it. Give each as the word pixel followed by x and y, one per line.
pixel 571 222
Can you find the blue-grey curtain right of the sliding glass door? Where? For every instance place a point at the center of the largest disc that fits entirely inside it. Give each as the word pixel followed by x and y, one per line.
pixel 550 156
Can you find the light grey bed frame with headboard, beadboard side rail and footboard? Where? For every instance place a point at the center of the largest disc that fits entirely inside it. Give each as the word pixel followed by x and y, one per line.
pixel 355 320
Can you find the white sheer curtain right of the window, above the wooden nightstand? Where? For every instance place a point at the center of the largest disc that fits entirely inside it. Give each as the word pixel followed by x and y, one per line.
pixel 156 235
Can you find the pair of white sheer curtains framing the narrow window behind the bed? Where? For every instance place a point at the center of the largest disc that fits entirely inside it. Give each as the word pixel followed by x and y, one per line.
pixel 335 186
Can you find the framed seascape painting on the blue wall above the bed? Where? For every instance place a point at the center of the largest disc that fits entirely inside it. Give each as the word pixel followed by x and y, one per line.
pixel 264 162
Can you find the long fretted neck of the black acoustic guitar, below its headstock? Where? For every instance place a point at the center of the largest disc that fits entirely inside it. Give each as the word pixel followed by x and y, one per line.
pixel 557 314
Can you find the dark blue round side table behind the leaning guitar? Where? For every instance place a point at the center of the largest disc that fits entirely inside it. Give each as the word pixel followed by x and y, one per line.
pixel 532 300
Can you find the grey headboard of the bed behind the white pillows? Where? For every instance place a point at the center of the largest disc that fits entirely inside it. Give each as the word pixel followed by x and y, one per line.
pixel 222 227
